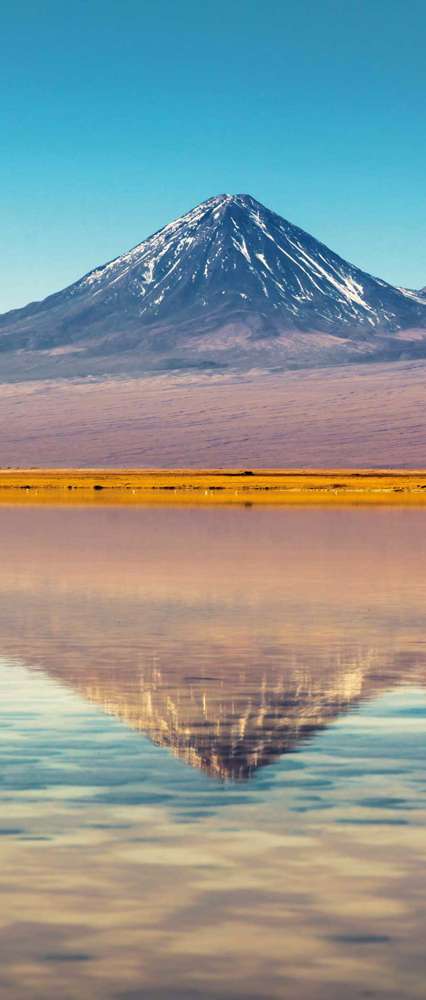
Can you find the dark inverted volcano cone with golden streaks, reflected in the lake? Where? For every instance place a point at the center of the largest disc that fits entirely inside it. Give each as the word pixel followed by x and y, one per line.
pixel 234 721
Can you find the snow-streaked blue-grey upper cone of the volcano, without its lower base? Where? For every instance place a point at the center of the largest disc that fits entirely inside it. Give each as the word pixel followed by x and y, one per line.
pixel 232 250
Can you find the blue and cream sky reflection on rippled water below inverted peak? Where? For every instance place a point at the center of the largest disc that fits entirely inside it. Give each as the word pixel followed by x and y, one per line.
pixel 118 860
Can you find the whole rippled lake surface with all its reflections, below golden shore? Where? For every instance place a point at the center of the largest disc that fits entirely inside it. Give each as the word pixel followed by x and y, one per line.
pixel 212 754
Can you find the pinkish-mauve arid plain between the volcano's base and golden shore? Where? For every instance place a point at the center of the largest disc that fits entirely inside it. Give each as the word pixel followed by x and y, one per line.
pixel 359 416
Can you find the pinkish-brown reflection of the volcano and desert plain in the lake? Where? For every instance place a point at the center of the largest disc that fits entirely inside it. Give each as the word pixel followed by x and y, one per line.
pixel 226 636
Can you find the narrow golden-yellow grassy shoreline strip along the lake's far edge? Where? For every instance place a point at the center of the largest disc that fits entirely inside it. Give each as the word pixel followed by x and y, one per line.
pixel 272 487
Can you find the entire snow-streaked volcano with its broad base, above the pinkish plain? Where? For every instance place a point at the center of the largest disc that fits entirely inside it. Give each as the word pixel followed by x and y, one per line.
pixel 230 284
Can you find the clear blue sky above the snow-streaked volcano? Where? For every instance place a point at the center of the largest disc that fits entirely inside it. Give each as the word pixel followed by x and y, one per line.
pixel 117 116
